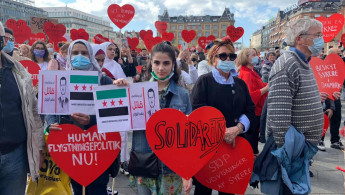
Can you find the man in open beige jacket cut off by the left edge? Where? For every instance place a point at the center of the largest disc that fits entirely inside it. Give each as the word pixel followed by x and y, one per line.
pixel 21 132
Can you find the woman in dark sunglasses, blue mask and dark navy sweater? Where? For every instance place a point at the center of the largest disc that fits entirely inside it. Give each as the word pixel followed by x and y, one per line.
pixel 221 89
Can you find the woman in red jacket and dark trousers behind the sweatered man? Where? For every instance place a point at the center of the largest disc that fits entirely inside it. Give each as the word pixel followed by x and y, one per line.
pixel 246 60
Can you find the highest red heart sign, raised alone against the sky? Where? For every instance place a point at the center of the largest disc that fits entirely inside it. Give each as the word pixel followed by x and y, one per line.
pixel 121 16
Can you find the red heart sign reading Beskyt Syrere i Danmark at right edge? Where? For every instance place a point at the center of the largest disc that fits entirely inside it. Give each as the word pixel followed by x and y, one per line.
pixel 329 74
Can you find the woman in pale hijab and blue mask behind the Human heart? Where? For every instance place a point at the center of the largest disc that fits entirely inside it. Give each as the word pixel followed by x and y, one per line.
pixel 79 57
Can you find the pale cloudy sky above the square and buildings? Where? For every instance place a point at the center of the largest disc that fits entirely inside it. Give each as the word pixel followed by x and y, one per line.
pixel 250 14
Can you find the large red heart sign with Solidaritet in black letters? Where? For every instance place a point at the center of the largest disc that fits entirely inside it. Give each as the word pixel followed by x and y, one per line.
pixel 186 144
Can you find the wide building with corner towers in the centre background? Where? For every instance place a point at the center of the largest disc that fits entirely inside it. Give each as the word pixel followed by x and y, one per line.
pixel 203 25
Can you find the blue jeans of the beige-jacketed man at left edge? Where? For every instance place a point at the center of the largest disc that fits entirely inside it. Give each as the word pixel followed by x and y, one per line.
pixel 13 171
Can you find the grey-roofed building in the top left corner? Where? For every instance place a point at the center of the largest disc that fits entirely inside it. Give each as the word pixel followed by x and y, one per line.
pixel 18 10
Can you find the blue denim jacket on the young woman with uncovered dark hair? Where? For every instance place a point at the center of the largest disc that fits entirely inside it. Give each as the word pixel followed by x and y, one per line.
pixel 180 101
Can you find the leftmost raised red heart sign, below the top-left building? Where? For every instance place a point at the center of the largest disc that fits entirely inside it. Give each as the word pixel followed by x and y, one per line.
pixel 21 31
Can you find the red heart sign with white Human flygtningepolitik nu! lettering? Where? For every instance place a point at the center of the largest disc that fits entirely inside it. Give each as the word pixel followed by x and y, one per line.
pixel 83 155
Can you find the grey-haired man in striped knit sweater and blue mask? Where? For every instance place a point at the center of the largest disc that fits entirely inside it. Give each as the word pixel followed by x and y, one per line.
pixel 293 102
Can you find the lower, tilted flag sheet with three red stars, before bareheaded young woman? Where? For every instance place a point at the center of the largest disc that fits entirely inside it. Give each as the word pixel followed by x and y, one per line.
pixel 112 109
